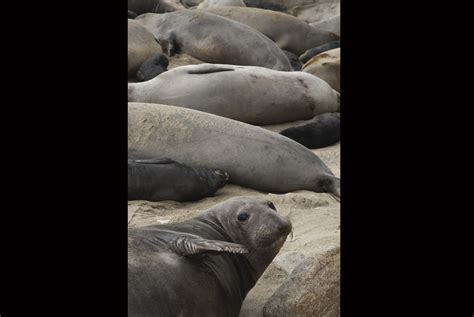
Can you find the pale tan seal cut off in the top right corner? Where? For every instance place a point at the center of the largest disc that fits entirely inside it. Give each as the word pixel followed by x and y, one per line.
pixel 316 12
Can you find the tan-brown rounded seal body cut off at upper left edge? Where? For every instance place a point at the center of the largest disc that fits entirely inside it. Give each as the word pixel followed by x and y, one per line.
pixel 141 46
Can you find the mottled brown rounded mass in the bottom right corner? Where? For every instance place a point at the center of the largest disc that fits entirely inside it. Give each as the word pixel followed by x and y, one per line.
pixel 312 289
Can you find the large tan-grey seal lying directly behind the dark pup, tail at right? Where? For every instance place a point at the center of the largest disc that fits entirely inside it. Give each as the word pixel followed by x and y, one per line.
pixel 254 157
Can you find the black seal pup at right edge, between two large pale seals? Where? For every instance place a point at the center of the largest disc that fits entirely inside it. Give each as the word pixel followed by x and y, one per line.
pixel 321 131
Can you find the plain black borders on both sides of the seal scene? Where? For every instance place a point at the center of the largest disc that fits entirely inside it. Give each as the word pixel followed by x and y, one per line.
pixel 405 161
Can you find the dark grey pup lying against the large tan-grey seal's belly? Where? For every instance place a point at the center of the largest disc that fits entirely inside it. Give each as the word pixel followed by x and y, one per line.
pixel 164 179
